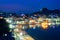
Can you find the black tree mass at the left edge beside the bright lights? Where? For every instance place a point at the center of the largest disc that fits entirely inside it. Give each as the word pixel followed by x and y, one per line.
pixel 4 27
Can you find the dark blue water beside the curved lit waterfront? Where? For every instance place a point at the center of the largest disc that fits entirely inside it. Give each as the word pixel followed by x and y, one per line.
pixel 48 34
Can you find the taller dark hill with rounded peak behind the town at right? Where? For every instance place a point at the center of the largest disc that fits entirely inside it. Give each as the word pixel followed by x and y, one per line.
pixel 48 12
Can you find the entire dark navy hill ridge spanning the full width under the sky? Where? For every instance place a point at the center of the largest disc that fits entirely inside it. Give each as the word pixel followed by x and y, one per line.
pixel 43 11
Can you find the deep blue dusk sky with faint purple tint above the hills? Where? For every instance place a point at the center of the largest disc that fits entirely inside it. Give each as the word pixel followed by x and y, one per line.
pixel 28 5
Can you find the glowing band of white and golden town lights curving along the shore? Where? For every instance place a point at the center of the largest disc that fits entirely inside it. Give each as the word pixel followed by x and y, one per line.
pixel 19 24
